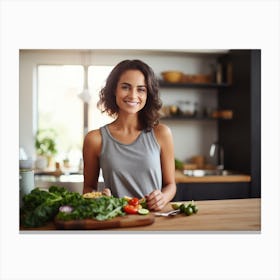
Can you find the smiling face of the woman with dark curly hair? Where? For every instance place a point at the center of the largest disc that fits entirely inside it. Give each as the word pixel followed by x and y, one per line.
pixel 131 92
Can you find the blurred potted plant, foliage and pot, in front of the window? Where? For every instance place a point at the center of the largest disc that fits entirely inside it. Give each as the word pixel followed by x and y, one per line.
pixel 46 147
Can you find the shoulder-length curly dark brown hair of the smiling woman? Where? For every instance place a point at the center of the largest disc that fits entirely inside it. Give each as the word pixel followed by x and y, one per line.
pixel 149 115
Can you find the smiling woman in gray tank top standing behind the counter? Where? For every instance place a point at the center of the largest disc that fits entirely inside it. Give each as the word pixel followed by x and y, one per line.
pixel 135 152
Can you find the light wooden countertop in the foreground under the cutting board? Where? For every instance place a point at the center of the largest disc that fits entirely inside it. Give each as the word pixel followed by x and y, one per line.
pixel 213 215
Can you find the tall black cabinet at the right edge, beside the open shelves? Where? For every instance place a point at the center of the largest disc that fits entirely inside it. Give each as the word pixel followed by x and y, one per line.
pixel 241 137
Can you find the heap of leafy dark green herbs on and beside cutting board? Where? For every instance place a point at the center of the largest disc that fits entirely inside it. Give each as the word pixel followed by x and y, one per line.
pixel 40 206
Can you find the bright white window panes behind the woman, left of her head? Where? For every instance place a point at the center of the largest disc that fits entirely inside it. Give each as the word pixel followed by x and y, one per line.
pixel 61 109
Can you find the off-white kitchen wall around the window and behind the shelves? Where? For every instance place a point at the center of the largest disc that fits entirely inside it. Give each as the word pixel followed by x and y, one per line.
pixel 190 137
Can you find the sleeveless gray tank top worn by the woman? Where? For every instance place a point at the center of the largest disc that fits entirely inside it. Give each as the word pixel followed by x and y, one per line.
pixel 134 169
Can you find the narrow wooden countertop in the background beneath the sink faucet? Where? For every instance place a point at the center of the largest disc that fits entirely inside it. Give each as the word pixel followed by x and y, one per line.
pixel 181 178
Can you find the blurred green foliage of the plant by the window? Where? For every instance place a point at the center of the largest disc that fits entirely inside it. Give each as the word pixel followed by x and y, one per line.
pixel 45 142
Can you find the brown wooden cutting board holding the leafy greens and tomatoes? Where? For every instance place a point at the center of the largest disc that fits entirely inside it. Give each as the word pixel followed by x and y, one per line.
pixel 118 222
